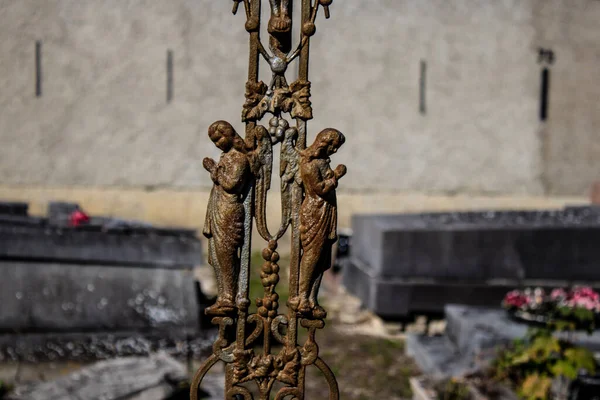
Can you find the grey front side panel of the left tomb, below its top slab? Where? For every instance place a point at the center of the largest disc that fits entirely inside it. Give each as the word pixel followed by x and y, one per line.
pixel 39 297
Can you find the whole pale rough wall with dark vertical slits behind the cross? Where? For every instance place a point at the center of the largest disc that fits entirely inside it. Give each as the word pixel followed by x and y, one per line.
pixel 103 122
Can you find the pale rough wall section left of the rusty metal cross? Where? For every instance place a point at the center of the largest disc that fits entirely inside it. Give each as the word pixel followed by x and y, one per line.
pixel 103 119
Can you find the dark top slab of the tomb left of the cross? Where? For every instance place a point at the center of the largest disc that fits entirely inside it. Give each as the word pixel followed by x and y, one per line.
pixel 139 247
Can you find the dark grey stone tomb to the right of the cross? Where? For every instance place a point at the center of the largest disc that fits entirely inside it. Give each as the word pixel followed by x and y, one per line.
pixel 406 263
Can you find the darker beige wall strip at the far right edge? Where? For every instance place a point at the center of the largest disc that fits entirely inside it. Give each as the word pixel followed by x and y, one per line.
pixel 571 137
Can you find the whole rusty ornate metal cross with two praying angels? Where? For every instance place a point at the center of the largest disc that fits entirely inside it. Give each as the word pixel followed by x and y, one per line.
pixel 242 178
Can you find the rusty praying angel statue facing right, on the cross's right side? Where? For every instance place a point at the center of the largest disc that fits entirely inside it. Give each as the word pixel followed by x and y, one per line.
pixel 318 219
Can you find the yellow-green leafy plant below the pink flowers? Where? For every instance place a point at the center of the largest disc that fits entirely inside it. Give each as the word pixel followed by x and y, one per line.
pixel 531 364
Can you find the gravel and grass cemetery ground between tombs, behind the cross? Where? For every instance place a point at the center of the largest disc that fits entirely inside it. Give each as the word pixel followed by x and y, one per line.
pixel 366 354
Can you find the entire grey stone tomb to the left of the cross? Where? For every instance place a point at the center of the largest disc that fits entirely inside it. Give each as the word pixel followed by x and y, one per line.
pixel 69 287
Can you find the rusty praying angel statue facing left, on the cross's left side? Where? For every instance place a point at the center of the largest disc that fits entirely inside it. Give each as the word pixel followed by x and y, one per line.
pixel 224 224
